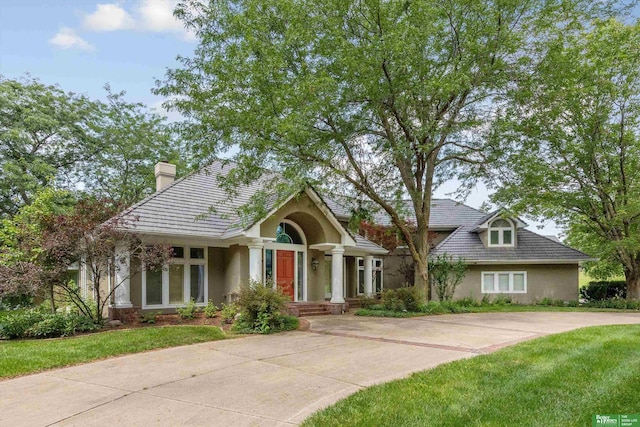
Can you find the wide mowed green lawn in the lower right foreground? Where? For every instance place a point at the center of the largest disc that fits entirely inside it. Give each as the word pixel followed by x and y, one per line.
pixel 559 380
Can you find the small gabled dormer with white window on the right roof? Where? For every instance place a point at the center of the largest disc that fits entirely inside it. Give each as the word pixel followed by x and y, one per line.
pixel 499 230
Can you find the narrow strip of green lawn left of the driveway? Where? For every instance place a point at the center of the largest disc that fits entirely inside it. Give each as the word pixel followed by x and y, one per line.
pixel 22 357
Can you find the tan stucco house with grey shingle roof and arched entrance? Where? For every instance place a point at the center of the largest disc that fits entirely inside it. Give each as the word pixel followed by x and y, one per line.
pixel 304 245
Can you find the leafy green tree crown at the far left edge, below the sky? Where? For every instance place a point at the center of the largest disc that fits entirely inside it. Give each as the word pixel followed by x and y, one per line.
pixel 44 133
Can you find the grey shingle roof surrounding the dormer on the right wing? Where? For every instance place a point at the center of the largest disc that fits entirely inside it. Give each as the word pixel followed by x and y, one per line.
pixel 530 246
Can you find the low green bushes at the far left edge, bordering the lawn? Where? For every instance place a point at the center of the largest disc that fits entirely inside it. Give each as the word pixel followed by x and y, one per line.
pixel 35 323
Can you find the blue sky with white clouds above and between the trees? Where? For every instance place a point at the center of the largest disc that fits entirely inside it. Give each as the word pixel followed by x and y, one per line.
pixel 81 45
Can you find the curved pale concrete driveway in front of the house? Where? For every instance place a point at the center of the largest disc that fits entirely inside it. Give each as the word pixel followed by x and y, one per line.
pixel 268 380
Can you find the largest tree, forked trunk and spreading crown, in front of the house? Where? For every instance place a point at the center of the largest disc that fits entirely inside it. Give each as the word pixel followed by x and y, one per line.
pixel 377 98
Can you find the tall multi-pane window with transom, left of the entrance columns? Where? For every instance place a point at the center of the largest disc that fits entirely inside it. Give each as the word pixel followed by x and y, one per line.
pixel 184 279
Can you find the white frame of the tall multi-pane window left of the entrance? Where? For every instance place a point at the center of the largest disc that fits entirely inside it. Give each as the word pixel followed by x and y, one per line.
pixel 187 261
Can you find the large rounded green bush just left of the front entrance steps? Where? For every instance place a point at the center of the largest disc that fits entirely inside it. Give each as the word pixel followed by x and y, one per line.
pixel 261 308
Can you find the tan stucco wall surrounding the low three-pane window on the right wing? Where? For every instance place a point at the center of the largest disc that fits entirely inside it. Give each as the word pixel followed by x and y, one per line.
pixel 543 281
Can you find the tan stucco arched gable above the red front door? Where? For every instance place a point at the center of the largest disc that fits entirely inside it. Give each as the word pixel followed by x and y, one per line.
pixel 305 213
